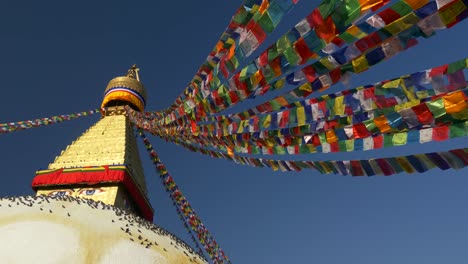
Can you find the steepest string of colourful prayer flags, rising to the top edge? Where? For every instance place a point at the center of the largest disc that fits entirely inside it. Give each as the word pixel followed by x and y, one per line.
pixel 249 27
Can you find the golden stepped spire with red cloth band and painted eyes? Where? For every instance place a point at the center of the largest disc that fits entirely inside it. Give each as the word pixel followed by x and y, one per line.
pixel 103 163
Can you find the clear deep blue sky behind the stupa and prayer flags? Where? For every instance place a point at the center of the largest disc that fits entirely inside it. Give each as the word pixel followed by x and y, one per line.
pixel 56 58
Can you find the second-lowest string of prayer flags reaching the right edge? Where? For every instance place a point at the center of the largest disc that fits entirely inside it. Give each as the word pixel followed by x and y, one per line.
pixel 324 142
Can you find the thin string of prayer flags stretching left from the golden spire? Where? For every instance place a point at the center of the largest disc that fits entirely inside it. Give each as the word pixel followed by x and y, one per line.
pixel 22 125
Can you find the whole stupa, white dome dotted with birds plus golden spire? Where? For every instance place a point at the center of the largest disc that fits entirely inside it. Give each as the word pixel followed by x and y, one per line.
pixel 91 203
